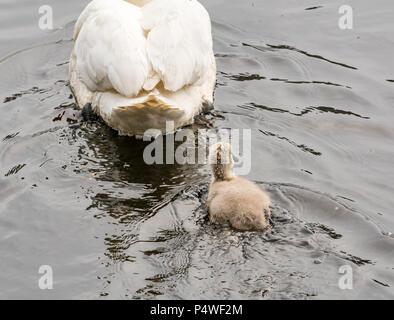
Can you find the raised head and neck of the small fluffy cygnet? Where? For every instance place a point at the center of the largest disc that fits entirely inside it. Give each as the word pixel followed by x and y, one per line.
pixel 221 161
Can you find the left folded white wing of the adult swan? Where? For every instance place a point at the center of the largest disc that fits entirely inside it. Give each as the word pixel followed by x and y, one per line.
pixel 111 48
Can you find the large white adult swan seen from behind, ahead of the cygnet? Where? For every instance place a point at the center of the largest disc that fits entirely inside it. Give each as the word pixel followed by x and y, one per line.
pixel 142 63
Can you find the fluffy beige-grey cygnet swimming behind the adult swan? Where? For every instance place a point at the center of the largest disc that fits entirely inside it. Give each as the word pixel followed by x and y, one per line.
pixel 234 199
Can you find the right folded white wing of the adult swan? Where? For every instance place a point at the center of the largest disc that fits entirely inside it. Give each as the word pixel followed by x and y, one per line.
pixel 179 41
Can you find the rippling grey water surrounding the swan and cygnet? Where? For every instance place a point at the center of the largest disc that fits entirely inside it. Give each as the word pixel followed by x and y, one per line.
pixel 78 197
